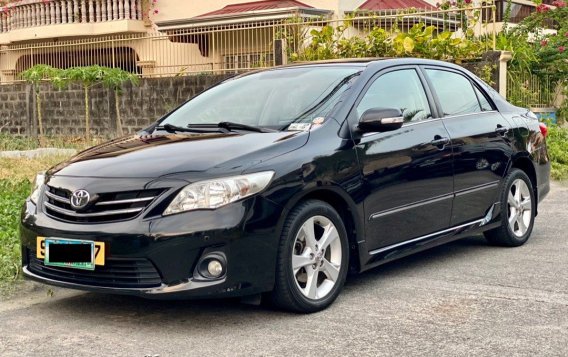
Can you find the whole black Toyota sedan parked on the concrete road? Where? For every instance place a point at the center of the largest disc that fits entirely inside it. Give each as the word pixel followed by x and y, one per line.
pixel 279 182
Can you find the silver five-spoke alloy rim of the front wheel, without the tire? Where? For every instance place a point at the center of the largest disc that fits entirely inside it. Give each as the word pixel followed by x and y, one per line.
pixel 316 257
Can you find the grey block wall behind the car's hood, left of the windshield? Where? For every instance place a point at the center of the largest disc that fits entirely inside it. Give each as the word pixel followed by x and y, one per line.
pixel 64 111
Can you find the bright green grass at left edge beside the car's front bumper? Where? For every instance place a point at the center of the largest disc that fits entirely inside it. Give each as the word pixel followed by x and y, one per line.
pixel 12 196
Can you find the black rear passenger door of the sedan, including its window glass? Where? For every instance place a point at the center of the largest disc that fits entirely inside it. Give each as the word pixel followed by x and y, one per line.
pixel 480 142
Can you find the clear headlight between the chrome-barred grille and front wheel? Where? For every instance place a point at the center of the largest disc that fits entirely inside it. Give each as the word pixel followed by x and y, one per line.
pixel 212 194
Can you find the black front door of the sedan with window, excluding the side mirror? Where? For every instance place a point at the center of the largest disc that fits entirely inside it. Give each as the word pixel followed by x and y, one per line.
pixel 407 173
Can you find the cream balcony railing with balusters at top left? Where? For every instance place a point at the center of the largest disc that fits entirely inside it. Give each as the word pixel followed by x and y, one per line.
pixel 33 13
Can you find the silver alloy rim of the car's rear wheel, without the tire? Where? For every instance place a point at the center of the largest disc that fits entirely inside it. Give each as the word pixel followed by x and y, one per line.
pixel 520 208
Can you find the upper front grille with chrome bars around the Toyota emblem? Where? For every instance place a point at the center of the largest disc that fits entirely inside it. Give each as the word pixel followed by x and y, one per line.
pixel 106 207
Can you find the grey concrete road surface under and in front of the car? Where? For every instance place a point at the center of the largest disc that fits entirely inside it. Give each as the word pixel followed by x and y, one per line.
pixel 464 298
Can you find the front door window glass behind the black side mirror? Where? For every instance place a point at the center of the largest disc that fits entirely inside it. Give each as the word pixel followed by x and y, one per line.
pixel 398 89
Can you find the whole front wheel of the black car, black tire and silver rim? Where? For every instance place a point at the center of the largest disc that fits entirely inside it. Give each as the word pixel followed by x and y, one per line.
pixel 311 267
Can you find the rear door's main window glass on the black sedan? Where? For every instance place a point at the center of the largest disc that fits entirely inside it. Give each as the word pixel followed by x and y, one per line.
pixel 454 91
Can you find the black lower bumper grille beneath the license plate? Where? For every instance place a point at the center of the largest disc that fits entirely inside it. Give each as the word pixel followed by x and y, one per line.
pixel 116 273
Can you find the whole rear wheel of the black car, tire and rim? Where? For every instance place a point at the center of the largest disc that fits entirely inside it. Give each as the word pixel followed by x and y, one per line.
pixel 518 208
